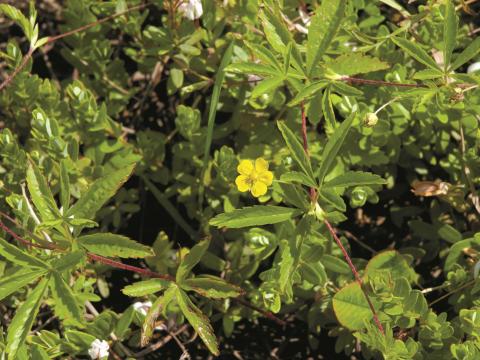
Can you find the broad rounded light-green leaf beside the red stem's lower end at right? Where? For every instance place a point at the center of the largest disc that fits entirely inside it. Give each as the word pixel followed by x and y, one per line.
pixel 351 308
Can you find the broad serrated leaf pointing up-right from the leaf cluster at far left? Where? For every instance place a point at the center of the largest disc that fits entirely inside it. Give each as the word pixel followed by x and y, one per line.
pixel 99 193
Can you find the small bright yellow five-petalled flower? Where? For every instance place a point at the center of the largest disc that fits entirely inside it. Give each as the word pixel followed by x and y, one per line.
pixel 254 177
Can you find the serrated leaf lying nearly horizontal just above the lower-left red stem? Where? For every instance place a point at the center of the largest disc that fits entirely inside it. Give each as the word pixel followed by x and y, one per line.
pixel 108 244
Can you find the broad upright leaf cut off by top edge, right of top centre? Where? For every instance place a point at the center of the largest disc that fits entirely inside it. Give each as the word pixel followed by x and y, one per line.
pixel 322 30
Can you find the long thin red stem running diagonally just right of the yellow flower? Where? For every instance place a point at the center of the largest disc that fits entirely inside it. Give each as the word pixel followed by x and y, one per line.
pixel 332 231
